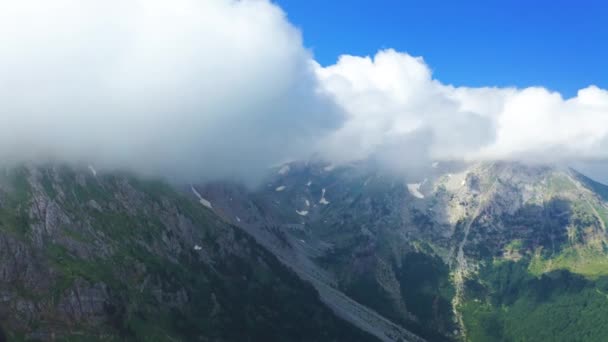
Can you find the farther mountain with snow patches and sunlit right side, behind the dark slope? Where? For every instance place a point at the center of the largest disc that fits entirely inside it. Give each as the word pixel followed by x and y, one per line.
pixel 488 251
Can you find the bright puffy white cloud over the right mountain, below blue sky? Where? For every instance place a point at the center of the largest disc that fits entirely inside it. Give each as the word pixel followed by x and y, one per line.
pixel 399 113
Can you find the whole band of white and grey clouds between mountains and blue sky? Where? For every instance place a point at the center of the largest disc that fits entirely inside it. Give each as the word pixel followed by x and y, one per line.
pixel 195 89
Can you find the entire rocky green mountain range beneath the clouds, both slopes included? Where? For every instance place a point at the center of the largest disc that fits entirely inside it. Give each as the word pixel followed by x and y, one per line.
pixel 483 251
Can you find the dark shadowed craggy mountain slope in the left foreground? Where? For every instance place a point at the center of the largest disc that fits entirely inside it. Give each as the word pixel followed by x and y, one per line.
pixel 87 256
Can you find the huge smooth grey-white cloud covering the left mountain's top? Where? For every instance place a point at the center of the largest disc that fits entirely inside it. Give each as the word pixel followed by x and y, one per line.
pixel 182 88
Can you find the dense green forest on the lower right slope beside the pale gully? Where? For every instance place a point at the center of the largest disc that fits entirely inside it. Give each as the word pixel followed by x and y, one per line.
pixel 507 303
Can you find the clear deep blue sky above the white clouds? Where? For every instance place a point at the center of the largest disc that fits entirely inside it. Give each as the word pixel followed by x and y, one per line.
pixel 561 45
